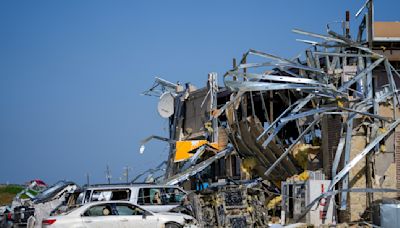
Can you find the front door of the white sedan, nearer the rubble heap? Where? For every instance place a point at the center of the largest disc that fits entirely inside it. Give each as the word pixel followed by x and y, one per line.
pixel 130 215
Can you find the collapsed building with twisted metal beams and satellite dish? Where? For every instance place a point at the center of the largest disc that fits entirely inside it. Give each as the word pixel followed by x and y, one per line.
pixel 317 135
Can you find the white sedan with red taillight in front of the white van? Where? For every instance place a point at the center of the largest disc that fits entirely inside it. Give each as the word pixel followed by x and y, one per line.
pixel 119 214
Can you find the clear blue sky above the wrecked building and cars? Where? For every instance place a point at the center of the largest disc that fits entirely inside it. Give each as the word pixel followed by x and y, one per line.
pixel 71 72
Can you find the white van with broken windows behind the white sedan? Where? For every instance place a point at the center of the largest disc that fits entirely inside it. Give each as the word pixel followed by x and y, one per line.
pixel 156 198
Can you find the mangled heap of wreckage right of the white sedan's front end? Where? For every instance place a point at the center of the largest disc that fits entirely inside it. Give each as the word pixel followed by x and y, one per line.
pixel 231 206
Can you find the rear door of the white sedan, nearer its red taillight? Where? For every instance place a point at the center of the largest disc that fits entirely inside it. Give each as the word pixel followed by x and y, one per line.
pixel 100 216
